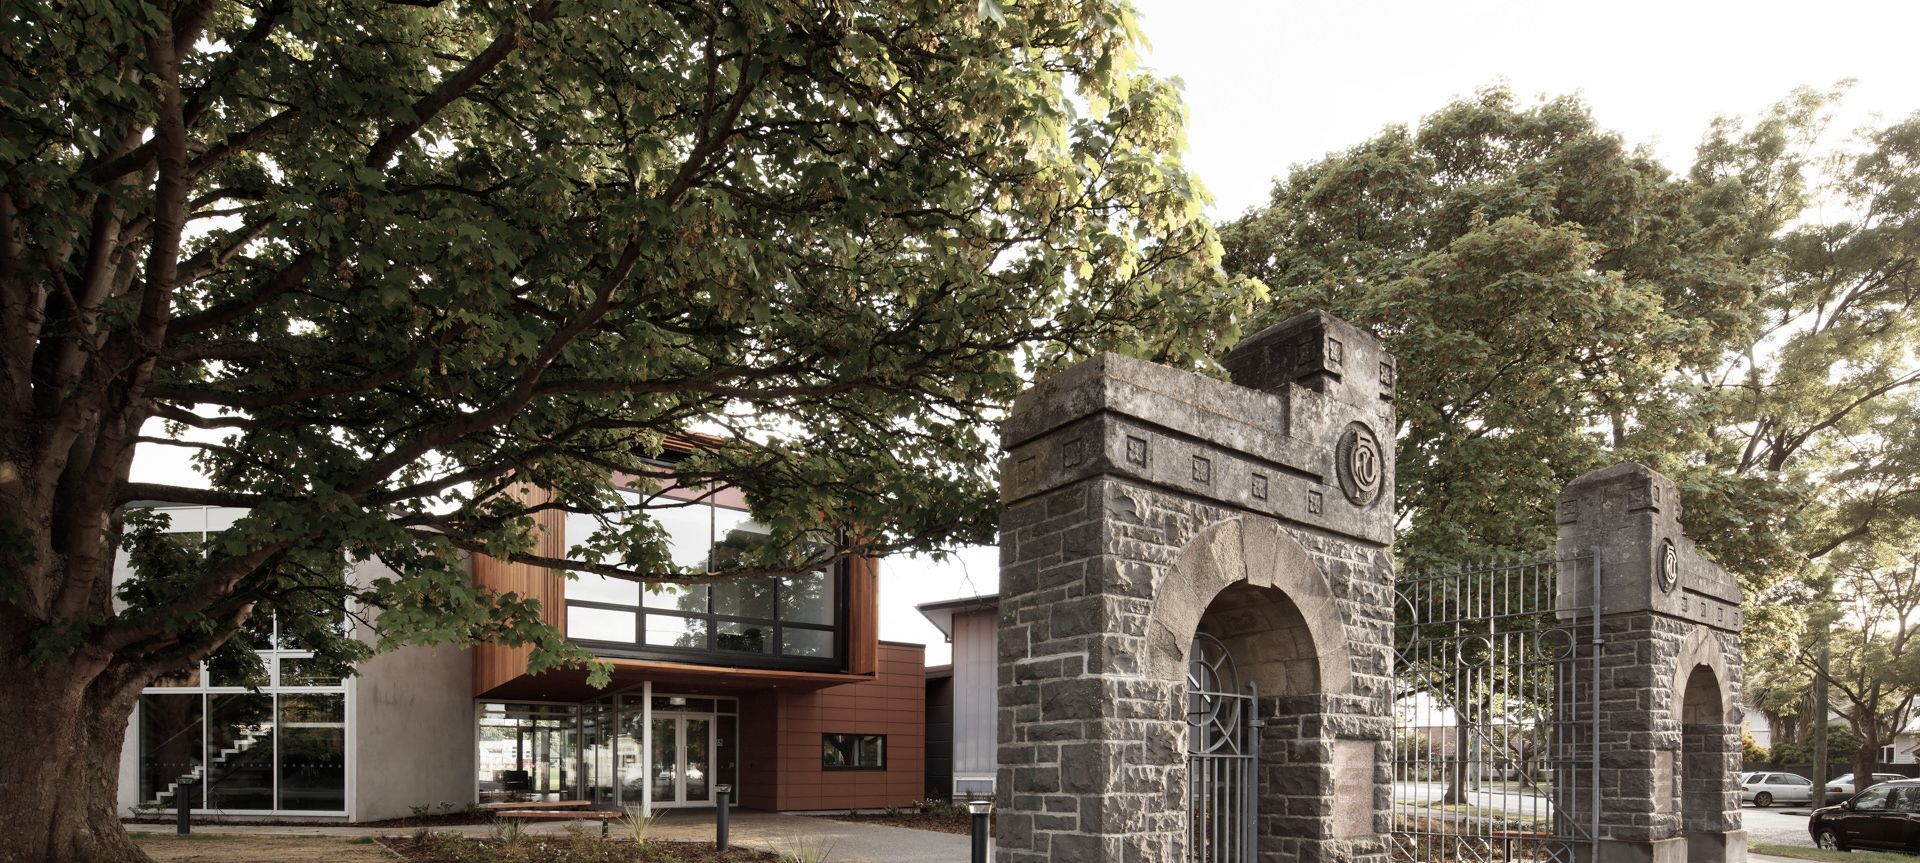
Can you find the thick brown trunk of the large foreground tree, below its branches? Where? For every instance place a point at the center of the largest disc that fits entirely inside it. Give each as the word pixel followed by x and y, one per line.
pixel 60 791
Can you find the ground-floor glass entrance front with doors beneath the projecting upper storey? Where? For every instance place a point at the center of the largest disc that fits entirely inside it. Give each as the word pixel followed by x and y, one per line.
pixel 612 752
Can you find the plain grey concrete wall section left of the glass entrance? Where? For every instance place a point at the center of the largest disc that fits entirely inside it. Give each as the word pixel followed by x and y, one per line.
pixel 414 729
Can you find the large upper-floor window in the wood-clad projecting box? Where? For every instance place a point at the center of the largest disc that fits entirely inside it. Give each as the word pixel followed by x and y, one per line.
pixel 765 622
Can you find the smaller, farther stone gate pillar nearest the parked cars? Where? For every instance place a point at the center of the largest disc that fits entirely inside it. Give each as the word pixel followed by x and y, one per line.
pixel 1669 674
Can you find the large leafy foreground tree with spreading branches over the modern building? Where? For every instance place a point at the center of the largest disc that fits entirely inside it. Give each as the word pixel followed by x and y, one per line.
pixel 381 266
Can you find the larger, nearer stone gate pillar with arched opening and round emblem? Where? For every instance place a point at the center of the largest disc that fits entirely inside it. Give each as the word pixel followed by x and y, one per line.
pixel 1136 499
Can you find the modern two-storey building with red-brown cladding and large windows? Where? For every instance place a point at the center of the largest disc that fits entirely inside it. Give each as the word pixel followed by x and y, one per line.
pixel 779 687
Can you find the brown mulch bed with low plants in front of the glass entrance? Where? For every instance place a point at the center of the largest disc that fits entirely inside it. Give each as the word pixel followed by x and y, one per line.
pixel 544 849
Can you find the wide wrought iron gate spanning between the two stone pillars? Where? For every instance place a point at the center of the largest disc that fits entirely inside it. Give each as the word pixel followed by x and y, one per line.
pixel 1497 741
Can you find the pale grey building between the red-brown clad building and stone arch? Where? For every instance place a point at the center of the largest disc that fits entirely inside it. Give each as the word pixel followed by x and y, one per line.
pixel 972 626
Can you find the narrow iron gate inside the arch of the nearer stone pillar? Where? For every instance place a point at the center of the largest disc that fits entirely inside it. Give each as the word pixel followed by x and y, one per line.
pixel 1222 756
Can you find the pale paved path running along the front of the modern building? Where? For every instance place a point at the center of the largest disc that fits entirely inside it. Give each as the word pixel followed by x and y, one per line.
pixel 852 843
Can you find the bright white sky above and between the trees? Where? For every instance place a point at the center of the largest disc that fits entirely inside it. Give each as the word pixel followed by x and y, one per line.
pixel 1280 84
